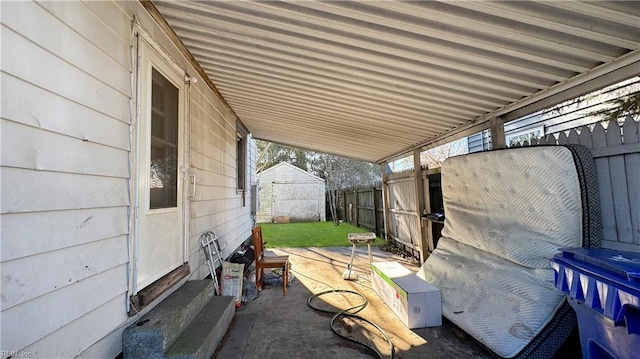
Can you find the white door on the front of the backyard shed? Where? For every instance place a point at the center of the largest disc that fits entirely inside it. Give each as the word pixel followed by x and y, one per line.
pixel 300 201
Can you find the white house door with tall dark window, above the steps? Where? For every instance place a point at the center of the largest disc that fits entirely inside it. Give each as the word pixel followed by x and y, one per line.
pixel 161 141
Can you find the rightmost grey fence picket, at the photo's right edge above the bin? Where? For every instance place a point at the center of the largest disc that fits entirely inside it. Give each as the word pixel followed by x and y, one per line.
pixel 631 132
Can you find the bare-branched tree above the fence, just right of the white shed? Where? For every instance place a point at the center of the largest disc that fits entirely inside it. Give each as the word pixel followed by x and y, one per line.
pixel 340 173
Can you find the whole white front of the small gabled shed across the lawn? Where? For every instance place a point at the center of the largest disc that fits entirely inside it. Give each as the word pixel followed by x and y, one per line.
pixel 286 190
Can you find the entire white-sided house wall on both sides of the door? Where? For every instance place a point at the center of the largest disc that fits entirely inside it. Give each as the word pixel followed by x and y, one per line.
pixel 66 130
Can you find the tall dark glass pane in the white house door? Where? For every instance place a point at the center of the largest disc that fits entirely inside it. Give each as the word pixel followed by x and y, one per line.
pixel 163 191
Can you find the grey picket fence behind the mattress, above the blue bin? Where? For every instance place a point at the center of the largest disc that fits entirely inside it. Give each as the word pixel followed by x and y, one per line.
pixel 616 150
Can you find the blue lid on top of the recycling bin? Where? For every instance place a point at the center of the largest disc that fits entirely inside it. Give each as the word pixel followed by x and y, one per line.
pixel 622 264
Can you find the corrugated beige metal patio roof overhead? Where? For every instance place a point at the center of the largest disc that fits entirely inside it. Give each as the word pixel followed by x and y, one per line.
pixel 372 80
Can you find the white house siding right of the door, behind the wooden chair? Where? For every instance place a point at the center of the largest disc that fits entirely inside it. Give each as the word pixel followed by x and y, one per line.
pixel 217 205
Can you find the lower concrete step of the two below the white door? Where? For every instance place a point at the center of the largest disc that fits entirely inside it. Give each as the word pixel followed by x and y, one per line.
pixel 200 339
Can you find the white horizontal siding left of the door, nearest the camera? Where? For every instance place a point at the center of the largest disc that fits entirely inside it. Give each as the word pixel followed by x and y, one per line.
pixel 65 171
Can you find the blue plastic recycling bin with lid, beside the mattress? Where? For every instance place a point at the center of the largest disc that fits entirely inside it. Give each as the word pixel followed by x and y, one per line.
pixel 603 287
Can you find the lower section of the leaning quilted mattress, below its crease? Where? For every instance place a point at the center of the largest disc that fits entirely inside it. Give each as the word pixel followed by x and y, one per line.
pixel 502 305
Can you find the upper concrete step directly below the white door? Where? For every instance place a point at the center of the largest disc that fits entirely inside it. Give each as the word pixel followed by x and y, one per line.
pixel 156 331
